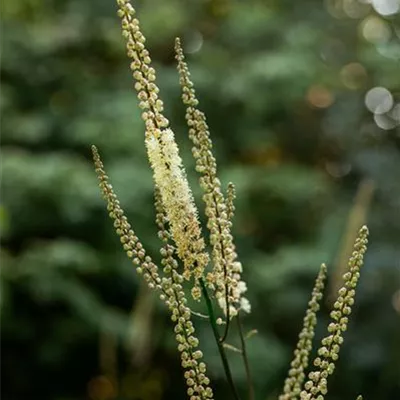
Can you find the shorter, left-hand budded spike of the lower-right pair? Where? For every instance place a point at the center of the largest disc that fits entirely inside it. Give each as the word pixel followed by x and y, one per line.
pixel 295 379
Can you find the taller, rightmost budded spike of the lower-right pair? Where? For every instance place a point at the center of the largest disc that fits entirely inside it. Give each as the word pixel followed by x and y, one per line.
pixel 317 385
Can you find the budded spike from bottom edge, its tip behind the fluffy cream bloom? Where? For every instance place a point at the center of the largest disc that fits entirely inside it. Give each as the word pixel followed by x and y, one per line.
pixel 195 370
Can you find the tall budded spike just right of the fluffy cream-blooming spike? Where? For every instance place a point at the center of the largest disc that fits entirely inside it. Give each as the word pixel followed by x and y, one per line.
pixel 225 278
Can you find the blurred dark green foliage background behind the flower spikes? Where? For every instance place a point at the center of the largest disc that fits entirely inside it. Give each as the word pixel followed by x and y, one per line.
pixel 303 100
